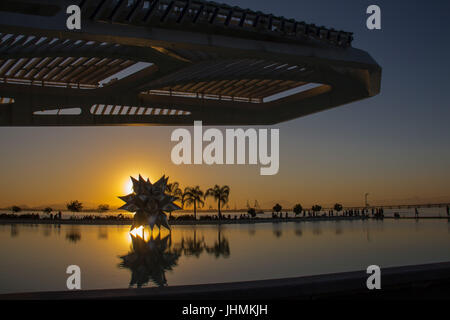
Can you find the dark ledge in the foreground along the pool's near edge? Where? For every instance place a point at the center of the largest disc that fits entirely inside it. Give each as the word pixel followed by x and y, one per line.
pixel 420 281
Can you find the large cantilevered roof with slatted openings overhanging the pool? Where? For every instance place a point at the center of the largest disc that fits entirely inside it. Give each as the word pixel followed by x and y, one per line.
pixel 143 62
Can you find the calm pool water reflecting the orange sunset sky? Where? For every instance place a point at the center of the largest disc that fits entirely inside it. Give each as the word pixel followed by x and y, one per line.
pixel 35 257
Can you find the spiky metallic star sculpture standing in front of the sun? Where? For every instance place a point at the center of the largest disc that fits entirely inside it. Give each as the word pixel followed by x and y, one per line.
pixel 150 202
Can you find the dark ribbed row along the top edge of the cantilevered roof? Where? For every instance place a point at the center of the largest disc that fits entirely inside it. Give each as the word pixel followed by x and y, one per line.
pixel 198 12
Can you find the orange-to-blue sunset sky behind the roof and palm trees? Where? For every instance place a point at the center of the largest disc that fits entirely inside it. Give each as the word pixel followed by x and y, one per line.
pixel 394 146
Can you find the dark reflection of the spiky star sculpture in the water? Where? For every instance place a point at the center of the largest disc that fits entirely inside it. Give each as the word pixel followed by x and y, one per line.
pixel 149 260
